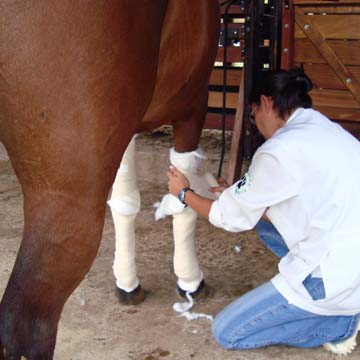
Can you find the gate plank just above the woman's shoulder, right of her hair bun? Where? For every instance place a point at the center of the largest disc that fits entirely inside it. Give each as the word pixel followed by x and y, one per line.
pixel 334 98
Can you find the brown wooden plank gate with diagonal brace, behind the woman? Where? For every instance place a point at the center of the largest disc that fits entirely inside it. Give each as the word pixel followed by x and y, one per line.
pixel 327 44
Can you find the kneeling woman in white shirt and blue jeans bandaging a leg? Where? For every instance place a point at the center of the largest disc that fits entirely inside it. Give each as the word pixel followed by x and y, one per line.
pixel 305 181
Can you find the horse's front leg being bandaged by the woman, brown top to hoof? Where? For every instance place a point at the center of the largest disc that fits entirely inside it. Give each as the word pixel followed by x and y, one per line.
pixel 181 97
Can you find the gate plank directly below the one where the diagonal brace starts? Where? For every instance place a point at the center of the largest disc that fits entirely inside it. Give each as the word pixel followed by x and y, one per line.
pixel 348 51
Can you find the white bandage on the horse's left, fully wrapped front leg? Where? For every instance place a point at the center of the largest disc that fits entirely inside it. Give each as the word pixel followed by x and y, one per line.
pixel 125 204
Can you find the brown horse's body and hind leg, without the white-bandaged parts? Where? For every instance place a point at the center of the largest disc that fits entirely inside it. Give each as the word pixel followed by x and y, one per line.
pixel 77 80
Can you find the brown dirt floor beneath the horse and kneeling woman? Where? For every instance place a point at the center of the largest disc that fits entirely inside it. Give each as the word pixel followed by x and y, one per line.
pixel 93 324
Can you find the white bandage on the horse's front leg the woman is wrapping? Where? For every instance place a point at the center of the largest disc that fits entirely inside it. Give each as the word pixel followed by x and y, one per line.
pixel 186 265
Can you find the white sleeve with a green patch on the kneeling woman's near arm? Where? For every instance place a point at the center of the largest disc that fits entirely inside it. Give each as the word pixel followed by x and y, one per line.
pixel 267 183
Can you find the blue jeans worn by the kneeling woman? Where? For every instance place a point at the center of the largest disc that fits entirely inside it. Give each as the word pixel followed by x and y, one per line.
pixel 263 317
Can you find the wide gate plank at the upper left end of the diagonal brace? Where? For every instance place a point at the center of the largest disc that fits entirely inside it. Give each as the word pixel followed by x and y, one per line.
pixel 332 26
